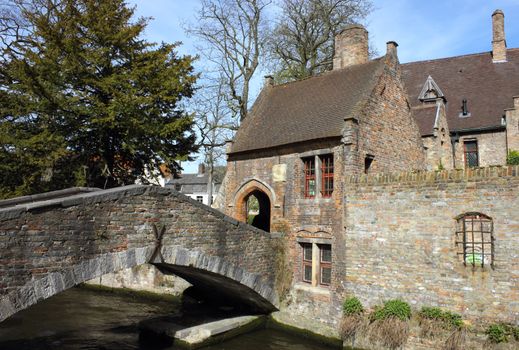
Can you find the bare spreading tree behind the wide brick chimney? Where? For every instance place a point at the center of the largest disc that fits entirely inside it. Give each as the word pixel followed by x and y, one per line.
pixel 302 41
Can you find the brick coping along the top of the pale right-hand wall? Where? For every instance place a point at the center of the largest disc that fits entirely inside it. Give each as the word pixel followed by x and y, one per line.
pixel 455 175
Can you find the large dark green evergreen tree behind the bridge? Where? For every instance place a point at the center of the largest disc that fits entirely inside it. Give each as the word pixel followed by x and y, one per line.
pixel 84 100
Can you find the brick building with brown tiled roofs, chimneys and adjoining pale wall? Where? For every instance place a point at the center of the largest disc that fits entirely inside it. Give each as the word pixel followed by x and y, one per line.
pixel 305 144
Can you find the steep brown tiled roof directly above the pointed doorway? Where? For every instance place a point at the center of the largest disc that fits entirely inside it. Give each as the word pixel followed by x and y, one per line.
pixel 306 110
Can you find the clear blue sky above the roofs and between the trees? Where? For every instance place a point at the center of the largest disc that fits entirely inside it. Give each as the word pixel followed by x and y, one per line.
pixel 423 29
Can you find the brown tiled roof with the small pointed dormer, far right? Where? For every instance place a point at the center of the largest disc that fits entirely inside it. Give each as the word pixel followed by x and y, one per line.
pixel 487 86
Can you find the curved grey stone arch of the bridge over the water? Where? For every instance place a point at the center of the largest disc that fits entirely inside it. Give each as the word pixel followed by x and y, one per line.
pixel 194 266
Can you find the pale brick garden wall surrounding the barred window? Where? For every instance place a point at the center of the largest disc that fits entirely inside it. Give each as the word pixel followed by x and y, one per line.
pixel 400 241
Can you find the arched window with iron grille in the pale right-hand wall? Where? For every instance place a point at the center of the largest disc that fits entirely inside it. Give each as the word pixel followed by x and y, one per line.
pixel 475 239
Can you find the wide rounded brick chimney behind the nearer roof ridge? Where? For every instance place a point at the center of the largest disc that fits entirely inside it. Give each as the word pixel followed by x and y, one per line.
pixel 351 47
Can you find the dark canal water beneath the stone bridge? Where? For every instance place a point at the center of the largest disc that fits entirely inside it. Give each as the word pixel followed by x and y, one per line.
pixel 84 319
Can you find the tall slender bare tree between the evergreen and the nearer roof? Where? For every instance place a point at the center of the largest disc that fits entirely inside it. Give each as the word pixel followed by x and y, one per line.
pixel 232 35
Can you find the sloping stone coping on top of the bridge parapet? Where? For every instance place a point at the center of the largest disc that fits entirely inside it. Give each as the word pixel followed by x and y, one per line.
pixel 97 196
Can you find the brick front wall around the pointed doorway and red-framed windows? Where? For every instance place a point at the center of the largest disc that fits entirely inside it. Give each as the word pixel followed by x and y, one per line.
pixel 293 214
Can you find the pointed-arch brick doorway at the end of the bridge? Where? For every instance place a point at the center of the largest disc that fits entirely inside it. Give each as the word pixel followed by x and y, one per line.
pixel 265 197
